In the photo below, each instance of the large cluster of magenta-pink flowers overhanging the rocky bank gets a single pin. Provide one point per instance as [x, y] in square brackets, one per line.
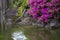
[43, 10]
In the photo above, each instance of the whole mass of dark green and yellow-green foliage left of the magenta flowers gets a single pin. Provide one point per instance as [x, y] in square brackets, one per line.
[19, 4]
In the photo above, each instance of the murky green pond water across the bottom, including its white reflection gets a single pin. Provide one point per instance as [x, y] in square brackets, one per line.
[27, 33]
